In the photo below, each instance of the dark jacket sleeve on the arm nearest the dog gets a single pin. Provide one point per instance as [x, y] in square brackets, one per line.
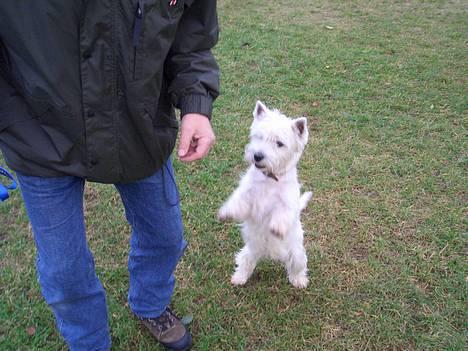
[191, 69]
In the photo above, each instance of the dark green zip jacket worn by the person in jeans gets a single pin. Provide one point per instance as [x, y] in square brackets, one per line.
[88, 87]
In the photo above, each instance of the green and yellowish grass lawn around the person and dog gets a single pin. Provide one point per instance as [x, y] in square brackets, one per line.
[384, 87]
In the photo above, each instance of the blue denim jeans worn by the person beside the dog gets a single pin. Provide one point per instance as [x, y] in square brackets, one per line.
[65, 265]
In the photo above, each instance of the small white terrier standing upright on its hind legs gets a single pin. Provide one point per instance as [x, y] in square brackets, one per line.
[268, 200]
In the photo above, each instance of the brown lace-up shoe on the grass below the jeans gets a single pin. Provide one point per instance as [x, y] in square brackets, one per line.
[169, 331]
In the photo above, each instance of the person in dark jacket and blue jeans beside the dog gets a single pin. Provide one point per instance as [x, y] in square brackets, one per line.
[87, 90]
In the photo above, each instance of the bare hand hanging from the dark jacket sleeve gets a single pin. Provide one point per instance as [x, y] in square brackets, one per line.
[196, 137]
